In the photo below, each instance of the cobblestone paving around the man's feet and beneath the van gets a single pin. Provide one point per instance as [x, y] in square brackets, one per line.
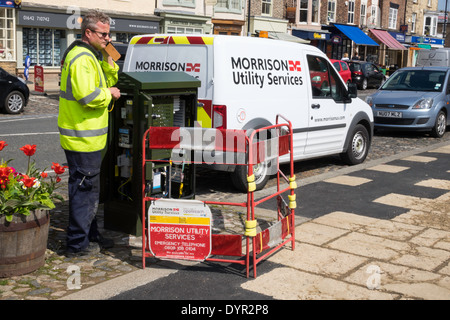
[51, 281]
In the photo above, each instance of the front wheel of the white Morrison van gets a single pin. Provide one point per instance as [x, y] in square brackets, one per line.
[358, 146]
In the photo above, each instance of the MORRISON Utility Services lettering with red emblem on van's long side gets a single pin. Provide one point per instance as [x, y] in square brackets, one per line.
[252, 71]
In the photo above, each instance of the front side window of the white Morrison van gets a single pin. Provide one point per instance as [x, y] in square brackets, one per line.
[325, 81]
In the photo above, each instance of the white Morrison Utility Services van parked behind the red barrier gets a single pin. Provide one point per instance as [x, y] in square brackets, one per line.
[246, 82]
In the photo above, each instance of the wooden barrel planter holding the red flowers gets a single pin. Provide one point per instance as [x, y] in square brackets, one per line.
[23, 242]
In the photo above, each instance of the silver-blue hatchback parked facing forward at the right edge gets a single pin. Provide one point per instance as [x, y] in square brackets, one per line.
[413, 98]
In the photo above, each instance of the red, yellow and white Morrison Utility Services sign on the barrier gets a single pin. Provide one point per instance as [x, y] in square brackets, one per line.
[179, 229]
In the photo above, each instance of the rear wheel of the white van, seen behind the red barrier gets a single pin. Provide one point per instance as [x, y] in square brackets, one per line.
[261, 172]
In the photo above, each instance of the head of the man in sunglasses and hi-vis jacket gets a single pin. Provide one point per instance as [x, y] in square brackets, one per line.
[95, 29]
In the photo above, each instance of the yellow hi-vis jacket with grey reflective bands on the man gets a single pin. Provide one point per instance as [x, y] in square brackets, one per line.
[84, 99]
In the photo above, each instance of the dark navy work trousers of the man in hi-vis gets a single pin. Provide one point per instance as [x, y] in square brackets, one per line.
[84, 191]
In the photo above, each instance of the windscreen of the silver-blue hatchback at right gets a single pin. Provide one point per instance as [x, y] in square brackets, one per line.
[416, 80]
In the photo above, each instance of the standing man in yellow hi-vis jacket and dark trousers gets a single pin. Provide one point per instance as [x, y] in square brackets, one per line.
[87, 79]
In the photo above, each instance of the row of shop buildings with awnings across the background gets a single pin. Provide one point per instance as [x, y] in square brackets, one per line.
[42, 30]
